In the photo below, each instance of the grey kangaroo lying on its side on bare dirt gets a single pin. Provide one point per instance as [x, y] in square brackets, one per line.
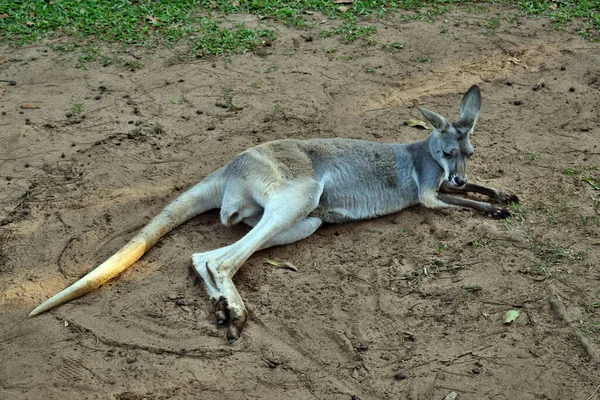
[286, 189]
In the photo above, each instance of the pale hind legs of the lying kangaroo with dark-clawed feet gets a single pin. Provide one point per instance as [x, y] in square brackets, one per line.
[284, 220]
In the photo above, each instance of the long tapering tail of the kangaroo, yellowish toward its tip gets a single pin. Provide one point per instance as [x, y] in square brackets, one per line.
[202, 197]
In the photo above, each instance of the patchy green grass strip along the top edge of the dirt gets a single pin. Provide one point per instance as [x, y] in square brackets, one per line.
[200, 22]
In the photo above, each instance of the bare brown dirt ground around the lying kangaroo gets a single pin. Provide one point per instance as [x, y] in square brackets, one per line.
[108, 147]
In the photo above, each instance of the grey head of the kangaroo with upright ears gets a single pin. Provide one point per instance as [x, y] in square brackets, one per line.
[449, 144]
